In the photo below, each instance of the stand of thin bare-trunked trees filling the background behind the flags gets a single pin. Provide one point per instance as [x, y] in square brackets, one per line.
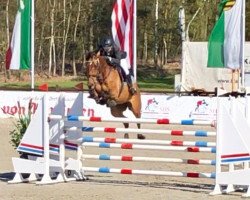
[66, 30]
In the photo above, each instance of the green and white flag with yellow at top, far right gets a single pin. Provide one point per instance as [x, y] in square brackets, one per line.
[225, 45]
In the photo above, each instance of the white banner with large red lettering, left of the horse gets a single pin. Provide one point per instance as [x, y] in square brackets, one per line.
[15, 103]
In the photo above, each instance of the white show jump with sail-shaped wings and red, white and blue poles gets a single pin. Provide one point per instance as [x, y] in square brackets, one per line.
[58, 132]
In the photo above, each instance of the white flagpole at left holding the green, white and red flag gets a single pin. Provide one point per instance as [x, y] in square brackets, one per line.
[32, 43]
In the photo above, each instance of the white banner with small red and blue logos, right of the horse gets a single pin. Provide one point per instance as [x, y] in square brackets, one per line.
[179, 108]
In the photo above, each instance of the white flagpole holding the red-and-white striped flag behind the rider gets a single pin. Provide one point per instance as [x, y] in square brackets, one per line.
[135, 40]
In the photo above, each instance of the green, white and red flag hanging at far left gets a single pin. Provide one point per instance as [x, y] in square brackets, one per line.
[18, 55]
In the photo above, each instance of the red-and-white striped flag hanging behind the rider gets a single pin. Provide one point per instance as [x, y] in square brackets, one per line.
[122, 27]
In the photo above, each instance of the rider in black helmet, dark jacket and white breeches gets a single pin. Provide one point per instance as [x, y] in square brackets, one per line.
[116, 57]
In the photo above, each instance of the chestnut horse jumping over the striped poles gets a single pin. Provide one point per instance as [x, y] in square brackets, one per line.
[106, 87]
